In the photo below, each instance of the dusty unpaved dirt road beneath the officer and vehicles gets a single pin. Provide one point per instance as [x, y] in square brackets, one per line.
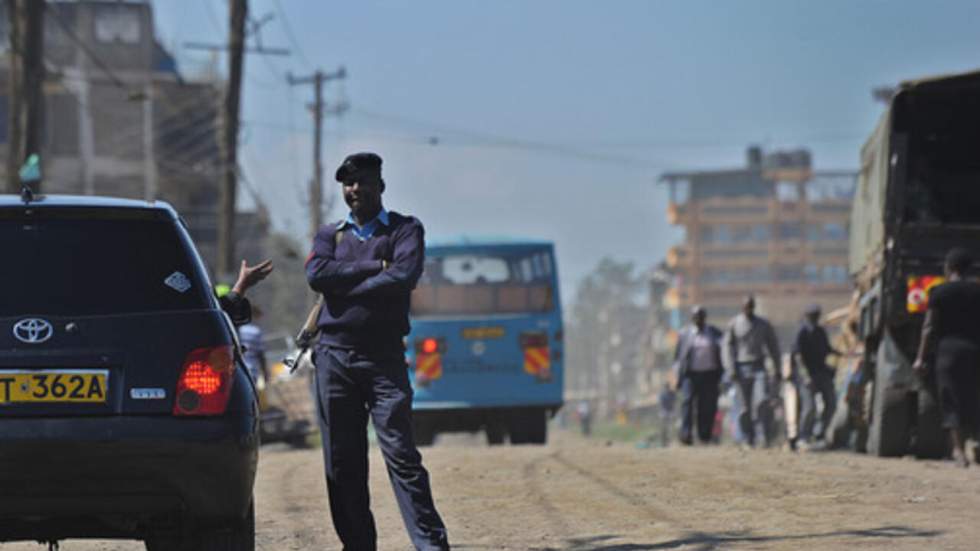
[584, 495]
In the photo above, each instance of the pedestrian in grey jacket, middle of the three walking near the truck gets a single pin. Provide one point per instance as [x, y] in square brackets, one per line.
[748, 340]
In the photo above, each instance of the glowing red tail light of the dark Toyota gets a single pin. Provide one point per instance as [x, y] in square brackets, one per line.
[205, 382]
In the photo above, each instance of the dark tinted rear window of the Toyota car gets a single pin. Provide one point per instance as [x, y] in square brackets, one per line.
[80, 263]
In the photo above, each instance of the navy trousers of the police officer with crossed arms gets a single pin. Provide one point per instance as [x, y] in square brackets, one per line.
[350, 387]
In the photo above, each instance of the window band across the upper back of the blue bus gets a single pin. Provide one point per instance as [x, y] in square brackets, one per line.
[470, 282]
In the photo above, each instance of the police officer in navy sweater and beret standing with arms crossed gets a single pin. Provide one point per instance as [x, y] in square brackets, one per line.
[366, 267]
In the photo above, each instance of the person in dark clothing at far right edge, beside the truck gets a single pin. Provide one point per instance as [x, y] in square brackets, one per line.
[952, 333]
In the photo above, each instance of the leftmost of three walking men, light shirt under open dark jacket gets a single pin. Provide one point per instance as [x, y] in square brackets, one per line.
[699, 369]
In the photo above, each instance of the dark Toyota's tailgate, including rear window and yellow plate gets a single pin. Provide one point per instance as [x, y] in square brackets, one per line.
[100, 309]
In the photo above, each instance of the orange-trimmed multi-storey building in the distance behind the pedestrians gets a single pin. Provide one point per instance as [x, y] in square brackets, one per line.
[774, 228]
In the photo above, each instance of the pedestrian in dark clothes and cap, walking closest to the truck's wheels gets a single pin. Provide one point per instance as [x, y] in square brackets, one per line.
[810, 349]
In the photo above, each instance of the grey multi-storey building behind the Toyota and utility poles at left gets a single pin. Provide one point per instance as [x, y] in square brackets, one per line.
[121, 120]
